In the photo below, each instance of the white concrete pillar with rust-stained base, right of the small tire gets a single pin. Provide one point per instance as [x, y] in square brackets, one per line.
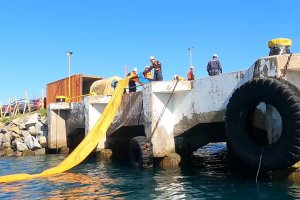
[158, 112]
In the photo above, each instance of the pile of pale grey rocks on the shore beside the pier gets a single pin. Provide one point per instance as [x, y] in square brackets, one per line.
[24, 136]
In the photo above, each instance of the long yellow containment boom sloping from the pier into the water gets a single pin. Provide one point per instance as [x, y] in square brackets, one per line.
[87, 145]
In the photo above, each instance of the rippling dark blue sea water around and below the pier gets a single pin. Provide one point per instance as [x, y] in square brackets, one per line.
[209, 176]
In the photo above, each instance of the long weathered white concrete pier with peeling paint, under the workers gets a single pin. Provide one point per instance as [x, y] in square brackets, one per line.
[168, 109]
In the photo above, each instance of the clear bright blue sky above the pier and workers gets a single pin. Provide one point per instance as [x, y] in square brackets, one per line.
[106, 35]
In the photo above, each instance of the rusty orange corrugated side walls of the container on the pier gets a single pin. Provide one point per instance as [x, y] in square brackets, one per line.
[60, 88]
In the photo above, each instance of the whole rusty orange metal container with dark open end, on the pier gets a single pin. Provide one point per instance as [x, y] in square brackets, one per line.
[80, 85]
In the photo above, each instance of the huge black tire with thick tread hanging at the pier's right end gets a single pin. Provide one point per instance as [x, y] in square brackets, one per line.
[239, 118]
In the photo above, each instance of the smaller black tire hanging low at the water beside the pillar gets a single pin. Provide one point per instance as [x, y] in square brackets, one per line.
[140, 152]
